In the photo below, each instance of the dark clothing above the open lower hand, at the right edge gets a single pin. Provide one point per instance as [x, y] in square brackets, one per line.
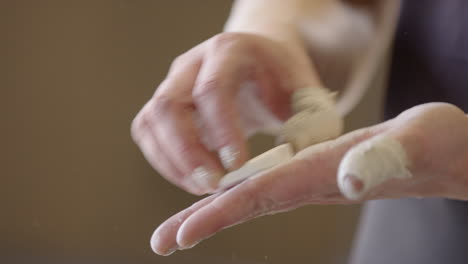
[430, 59]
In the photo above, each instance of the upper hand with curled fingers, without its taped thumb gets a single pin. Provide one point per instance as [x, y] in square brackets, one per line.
[195, 126]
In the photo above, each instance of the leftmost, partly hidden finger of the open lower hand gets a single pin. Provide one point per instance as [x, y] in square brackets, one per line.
[163, 240]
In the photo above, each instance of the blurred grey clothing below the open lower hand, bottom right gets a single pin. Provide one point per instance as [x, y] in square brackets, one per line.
[413, 231]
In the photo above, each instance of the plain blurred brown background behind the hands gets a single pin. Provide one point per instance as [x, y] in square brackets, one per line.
[74, 188]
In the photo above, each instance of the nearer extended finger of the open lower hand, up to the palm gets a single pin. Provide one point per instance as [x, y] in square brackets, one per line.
[253, 198]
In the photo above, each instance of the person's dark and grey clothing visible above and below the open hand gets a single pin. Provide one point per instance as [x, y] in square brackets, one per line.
[430, 64]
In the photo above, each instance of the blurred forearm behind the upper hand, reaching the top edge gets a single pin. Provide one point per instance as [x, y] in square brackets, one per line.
[326, 37]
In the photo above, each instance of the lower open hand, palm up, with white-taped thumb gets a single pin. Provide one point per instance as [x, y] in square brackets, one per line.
[421, 153]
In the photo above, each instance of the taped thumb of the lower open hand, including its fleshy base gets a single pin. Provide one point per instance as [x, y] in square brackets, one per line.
[408, 159]
